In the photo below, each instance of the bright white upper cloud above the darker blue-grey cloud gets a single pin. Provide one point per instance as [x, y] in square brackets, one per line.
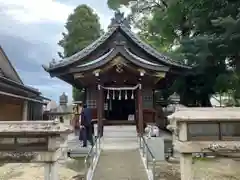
[41, 20]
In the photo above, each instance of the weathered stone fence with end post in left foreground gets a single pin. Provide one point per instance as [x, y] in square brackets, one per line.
[34, 142]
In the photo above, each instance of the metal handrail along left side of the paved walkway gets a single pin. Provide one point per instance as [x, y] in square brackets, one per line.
[91, 154]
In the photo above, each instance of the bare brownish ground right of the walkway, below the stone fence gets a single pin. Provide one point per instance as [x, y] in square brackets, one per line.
[203, 169]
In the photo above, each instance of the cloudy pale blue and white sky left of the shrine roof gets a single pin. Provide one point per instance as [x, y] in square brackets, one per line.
[29, 32]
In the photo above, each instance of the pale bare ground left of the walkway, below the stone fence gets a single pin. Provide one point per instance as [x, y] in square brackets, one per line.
[68, 170]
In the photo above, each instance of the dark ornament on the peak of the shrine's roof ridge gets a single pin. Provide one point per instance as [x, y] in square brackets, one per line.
[119, 19]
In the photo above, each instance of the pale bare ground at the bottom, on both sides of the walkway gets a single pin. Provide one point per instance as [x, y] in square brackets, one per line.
[204, 169]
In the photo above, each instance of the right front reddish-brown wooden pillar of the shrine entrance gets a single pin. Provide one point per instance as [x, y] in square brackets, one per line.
[140, 111]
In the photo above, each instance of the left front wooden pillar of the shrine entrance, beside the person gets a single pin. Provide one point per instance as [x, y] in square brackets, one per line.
[100, 110]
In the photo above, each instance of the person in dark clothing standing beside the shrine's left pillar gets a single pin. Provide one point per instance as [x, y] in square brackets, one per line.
[86, 126]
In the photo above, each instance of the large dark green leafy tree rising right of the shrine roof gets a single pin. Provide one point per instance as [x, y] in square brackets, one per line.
[203, 33]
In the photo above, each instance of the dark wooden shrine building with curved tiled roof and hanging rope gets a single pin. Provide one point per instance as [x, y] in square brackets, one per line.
[119, 73]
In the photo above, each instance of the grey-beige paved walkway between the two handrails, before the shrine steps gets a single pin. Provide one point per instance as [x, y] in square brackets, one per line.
[120, 165]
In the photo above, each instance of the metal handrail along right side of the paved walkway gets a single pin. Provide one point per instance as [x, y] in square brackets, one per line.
[145, 151]
